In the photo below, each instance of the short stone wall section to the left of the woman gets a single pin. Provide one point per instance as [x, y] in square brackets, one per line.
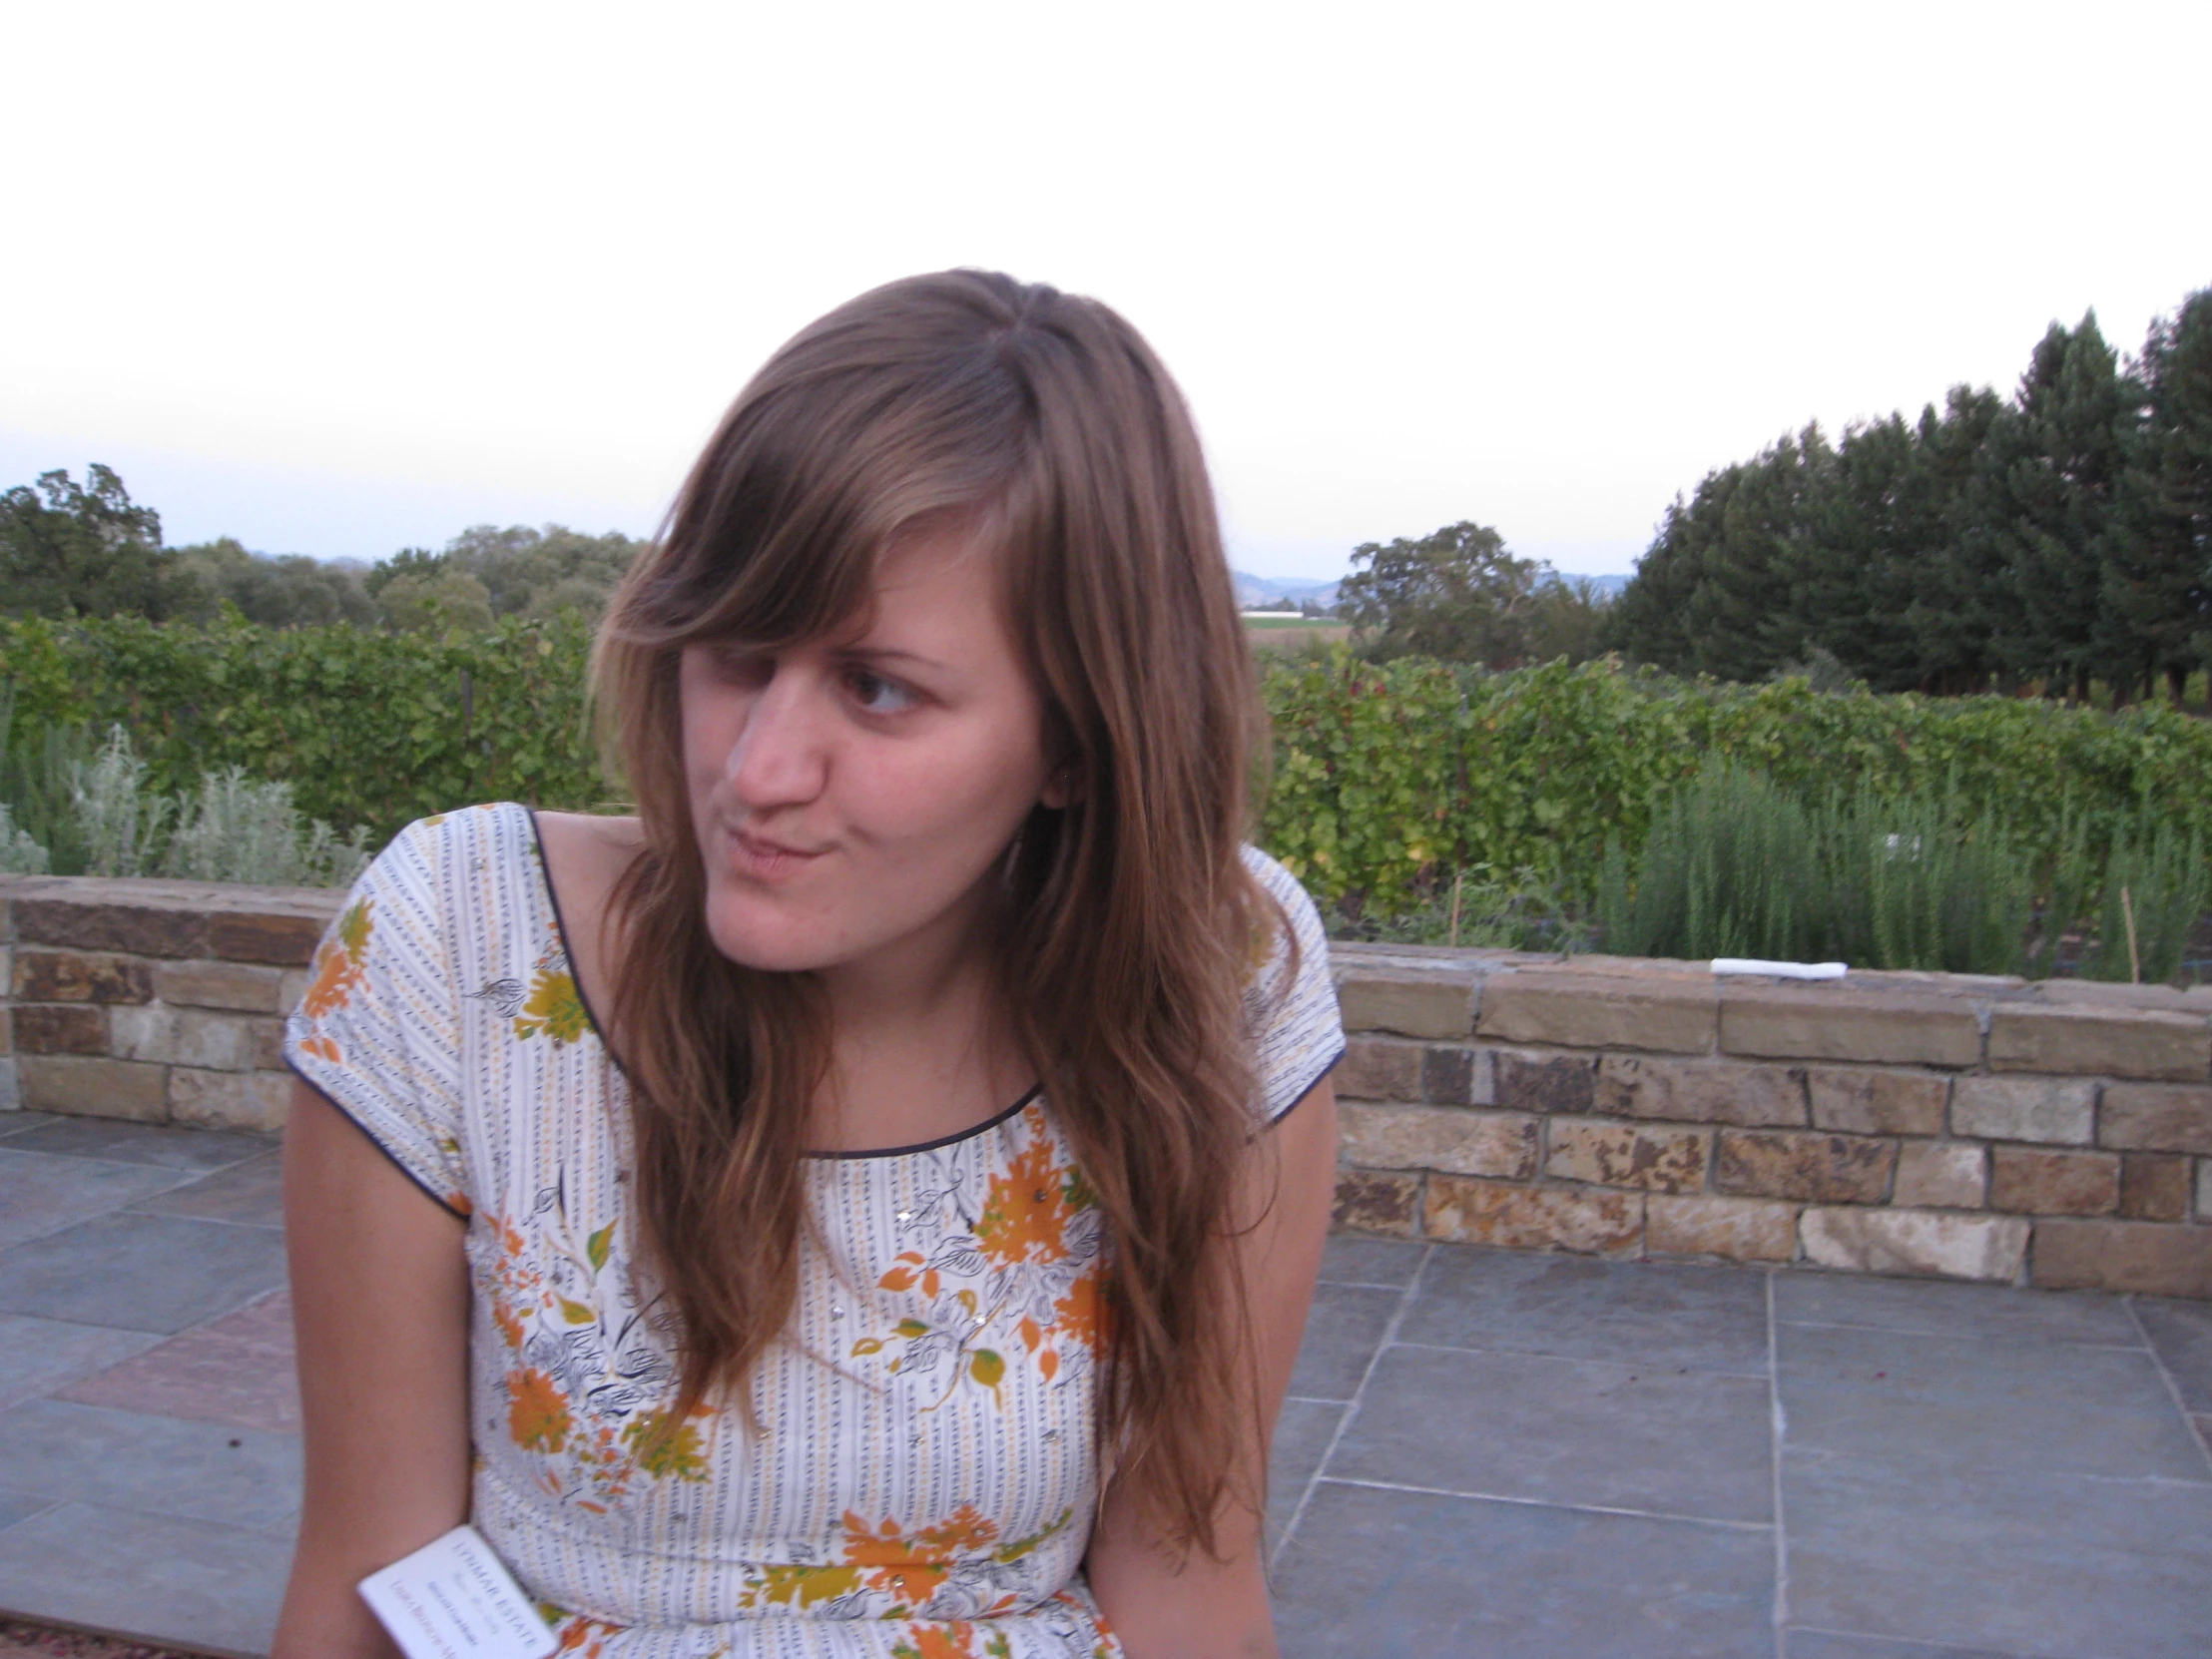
[152, 1001]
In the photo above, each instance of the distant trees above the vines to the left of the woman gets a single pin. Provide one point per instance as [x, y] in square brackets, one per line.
[87, 550]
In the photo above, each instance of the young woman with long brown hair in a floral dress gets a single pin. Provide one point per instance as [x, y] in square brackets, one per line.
[868, 1202]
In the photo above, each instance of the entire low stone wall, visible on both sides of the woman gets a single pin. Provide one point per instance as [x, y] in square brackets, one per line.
[1890, 1123]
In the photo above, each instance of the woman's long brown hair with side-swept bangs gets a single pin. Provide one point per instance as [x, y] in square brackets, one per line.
[1131, 919]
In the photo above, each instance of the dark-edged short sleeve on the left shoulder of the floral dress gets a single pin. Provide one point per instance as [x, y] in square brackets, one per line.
[379, 1027]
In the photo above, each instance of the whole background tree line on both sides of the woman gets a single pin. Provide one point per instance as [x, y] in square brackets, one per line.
[2054, 541]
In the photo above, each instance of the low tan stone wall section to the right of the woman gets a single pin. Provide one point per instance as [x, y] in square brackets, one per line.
[1892, 1123]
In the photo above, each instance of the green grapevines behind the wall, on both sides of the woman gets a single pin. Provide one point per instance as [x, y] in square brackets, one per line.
[1388, 780]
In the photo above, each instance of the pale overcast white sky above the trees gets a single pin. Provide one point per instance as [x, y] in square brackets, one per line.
[337, 280]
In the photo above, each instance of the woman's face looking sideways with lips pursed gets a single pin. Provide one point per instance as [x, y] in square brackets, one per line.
[853, 795]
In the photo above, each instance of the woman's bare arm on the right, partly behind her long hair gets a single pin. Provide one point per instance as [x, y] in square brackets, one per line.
[1167, 1609]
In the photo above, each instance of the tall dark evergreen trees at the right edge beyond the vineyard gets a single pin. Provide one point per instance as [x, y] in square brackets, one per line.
[2052, 541]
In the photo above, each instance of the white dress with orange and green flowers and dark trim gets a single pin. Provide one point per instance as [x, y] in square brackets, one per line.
[924, 1474]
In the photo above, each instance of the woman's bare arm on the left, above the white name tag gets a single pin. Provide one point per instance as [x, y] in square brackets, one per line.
[382, 1313]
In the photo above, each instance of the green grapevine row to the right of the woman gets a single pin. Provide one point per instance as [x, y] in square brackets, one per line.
[1390, 778]
